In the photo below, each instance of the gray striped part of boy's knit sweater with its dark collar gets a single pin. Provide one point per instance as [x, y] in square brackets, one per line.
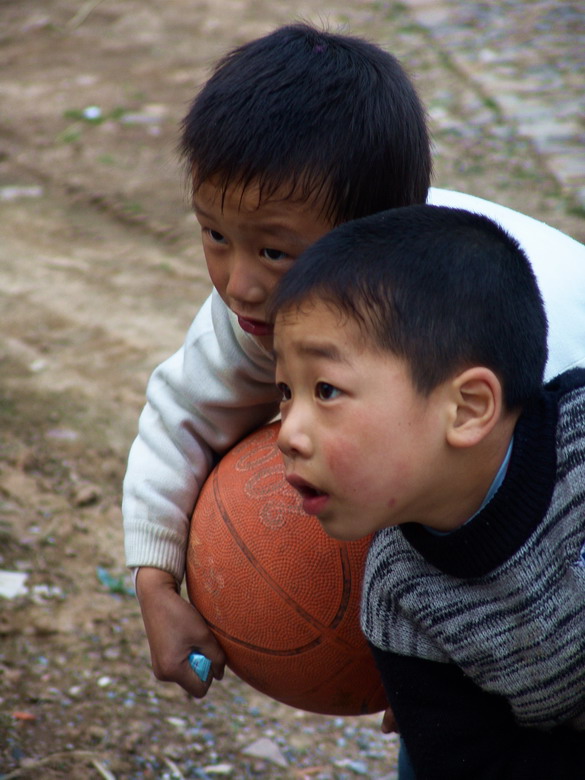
[504, 596]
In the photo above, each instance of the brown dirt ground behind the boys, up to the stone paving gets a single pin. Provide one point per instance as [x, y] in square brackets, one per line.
[100, 275]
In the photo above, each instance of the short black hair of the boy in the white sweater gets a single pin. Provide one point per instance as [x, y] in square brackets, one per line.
[331, 116]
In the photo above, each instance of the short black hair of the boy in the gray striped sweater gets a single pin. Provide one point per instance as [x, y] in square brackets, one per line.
[443, 288]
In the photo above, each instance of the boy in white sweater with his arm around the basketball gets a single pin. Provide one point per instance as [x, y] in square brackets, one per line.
[293, 134]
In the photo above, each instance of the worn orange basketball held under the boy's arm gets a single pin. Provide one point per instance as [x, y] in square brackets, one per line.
[281, 597]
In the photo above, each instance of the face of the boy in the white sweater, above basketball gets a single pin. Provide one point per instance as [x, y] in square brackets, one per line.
[249, 244]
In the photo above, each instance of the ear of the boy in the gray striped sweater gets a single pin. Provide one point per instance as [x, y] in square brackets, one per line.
[476, 406]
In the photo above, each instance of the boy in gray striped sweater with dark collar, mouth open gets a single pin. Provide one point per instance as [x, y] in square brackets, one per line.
[410, 349]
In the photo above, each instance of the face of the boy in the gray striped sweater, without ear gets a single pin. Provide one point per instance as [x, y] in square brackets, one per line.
[360, 444]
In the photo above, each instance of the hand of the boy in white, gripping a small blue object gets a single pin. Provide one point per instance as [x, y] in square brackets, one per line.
[175, 629]
